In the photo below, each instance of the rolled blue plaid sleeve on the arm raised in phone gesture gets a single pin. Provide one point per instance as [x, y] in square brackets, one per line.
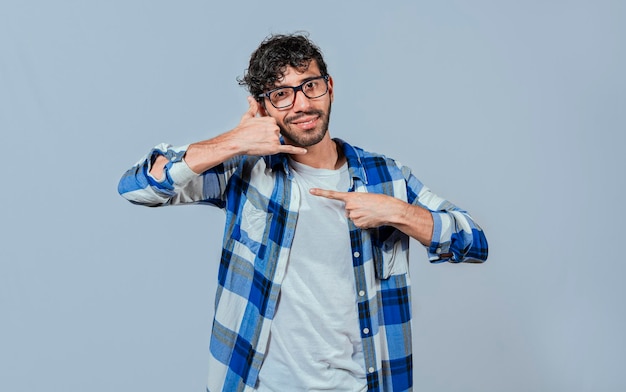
[179, 185]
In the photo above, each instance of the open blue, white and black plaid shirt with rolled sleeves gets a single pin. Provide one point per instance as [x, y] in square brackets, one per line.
[261, 205]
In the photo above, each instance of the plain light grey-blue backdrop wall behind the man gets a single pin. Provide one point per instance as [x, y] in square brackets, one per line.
[513, 110]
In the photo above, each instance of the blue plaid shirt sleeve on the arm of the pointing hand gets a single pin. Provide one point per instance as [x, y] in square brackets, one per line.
[456, 236]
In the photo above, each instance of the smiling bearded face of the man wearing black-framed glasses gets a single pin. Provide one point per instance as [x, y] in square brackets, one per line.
[305, 123]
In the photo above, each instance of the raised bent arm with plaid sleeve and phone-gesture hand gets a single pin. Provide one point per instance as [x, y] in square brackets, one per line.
[171, 176]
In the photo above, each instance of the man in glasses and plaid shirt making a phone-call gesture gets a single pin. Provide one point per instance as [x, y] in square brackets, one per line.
[314, 292]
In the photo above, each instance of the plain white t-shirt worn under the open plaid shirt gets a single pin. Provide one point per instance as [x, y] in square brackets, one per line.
[315, 342]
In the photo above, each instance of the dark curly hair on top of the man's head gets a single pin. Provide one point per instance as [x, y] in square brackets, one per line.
[269, 62]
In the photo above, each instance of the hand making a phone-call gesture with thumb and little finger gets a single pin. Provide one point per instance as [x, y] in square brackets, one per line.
[260, 135]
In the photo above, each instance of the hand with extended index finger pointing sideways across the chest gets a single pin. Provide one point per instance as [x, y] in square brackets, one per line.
[365, 210]
